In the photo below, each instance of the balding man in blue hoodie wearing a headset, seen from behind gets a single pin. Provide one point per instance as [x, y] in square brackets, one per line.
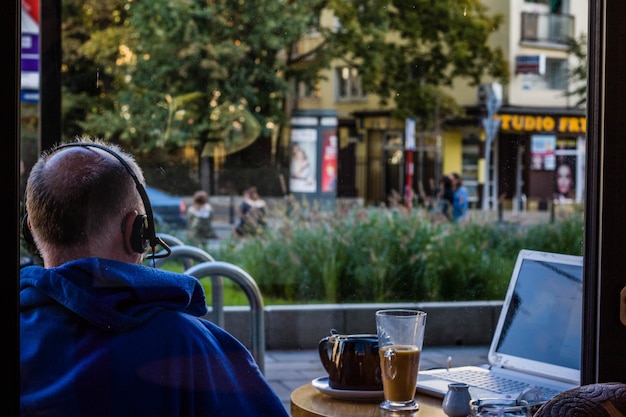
[103, 335]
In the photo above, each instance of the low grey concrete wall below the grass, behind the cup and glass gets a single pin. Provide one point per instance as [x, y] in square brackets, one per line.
[470, 323]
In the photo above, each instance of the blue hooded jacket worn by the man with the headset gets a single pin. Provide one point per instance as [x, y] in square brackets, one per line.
[106, 338]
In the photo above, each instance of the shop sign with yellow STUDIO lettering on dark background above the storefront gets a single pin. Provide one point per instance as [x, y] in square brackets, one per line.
[537, 123]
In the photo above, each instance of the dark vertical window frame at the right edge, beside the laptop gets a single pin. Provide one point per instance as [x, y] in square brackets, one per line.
[604, 336]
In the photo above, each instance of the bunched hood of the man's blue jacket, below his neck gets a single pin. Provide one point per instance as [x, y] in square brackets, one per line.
[112, 295]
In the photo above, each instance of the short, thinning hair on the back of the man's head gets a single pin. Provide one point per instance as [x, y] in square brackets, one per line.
[67, 207]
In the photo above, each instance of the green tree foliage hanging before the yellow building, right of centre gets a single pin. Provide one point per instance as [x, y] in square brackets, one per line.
[404, 50]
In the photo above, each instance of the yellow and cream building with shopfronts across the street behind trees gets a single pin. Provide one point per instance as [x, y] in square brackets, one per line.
[537, 154]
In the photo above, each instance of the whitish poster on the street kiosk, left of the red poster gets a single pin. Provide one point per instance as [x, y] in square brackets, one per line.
[302, 170]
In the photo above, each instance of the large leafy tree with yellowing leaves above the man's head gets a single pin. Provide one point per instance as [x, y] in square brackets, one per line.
[171, 68]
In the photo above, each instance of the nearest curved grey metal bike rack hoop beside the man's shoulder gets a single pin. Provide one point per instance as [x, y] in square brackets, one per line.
[250, 288]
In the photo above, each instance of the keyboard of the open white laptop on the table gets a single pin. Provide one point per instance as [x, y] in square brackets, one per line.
[497, 384]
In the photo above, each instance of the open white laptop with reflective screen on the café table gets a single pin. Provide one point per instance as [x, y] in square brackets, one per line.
[536, 347]
